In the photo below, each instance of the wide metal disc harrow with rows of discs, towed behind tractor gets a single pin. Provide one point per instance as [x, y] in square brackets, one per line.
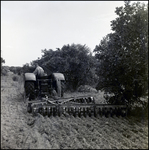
[80, 106]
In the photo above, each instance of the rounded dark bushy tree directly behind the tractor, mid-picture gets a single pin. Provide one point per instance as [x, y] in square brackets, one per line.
[74, 61]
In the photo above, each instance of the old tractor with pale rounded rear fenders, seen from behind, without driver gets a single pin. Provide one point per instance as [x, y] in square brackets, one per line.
[44, 86]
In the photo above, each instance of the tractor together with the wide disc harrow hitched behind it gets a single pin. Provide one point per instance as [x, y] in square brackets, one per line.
[45, 96]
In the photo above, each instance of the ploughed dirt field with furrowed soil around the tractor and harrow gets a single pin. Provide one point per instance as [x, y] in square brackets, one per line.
[20, 130]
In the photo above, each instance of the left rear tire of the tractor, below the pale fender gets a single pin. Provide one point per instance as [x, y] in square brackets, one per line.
[30, 90]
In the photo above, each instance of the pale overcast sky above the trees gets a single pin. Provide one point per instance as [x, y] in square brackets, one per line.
[27, 27]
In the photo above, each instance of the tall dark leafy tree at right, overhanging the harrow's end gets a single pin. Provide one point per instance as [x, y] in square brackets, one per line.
[123, 55]
